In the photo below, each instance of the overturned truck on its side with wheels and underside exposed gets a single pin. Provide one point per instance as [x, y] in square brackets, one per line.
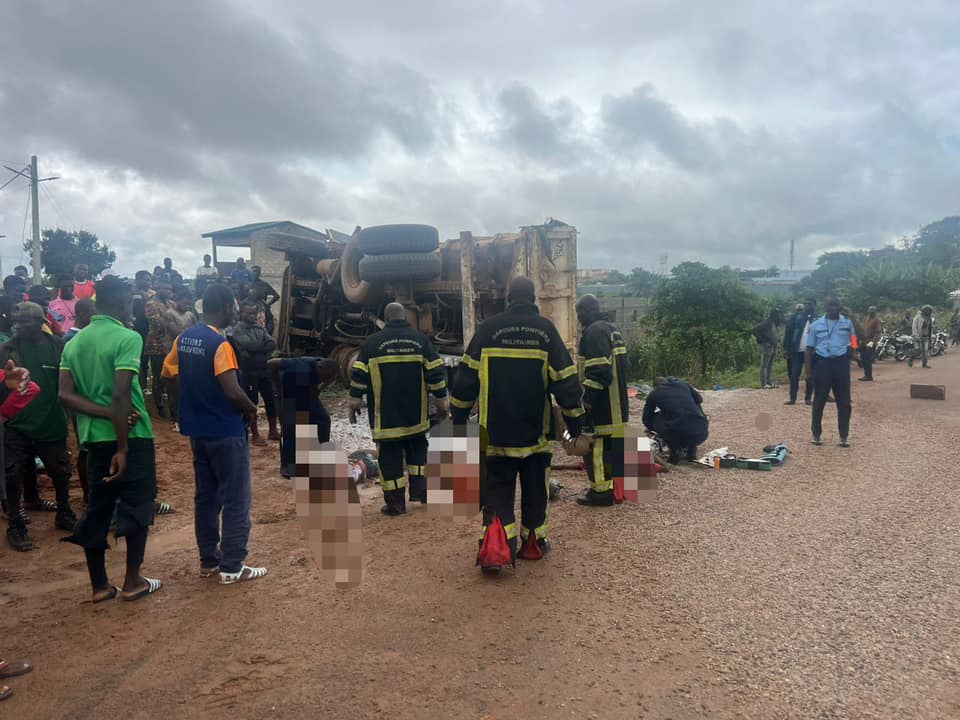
[334, 291]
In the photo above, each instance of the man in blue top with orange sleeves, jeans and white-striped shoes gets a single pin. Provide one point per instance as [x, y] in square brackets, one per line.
[214, 414]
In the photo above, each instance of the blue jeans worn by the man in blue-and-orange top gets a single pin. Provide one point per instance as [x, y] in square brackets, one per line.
[221, 468]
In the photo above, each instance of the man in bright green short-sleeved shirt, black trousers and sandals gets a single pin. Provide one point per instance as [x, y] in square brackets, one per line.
[98, 383]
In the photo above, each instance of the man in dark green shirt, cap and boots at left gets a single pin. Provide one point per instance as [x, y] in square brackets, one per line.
[41, 429]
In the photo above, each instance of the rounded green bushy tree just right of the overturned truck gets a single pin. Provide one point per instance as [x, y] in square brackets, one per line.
[706, 315]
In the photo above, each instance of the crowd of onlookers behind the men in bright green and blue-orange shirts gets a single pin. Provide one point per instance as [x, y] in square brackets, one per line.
[35, 325]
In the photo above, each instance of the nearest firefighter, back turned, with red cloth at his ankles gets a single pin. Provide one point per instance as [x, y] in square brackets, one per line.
[514, 362]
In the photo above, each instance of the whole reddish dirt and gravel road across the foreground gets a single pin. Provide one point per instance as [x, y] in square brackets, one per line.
[827, 588]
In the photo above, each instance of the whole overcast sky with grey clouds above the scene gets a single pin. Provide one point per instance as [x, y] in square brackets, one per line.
[703, 130]
